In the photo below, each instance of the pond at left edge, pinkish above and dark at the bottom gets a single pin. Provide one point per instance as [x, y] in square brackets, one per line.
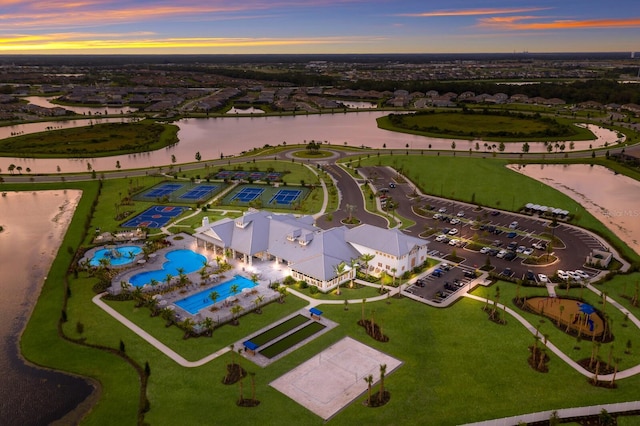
[34, 224]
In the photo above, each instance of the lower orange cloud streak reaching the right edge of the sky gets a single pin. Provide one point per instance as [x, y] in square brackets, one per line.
[520, 23]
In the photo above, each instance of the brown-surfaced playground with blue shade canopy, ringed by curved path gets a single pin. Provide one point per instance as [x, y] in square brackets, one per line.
[576, 316]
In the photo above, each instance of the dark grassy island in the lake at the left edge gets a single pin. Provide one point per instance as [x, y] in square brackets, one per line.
[96, 140]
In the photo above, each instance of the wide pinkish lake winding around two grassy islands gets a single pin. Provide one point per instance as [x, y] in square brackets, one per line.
[213, 137]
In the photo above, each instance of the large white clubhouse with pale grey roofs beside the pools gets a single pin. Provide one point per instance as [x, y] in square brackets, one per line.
[323, 258]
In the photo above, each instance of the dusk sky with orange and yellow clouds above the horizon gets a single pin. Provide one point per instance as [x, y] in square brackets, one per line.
[317, 26]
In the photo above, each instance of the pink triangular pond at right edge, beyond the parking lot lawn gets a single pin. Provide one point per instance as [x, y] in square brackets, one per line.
[613, 199]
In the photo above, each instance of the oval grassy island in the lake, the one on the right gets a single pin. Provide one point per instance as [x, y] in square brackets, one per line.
[504, 126]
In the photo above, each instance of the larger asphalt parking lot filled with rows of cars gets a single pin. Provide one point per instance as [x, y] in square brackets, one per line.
[481, 234]
